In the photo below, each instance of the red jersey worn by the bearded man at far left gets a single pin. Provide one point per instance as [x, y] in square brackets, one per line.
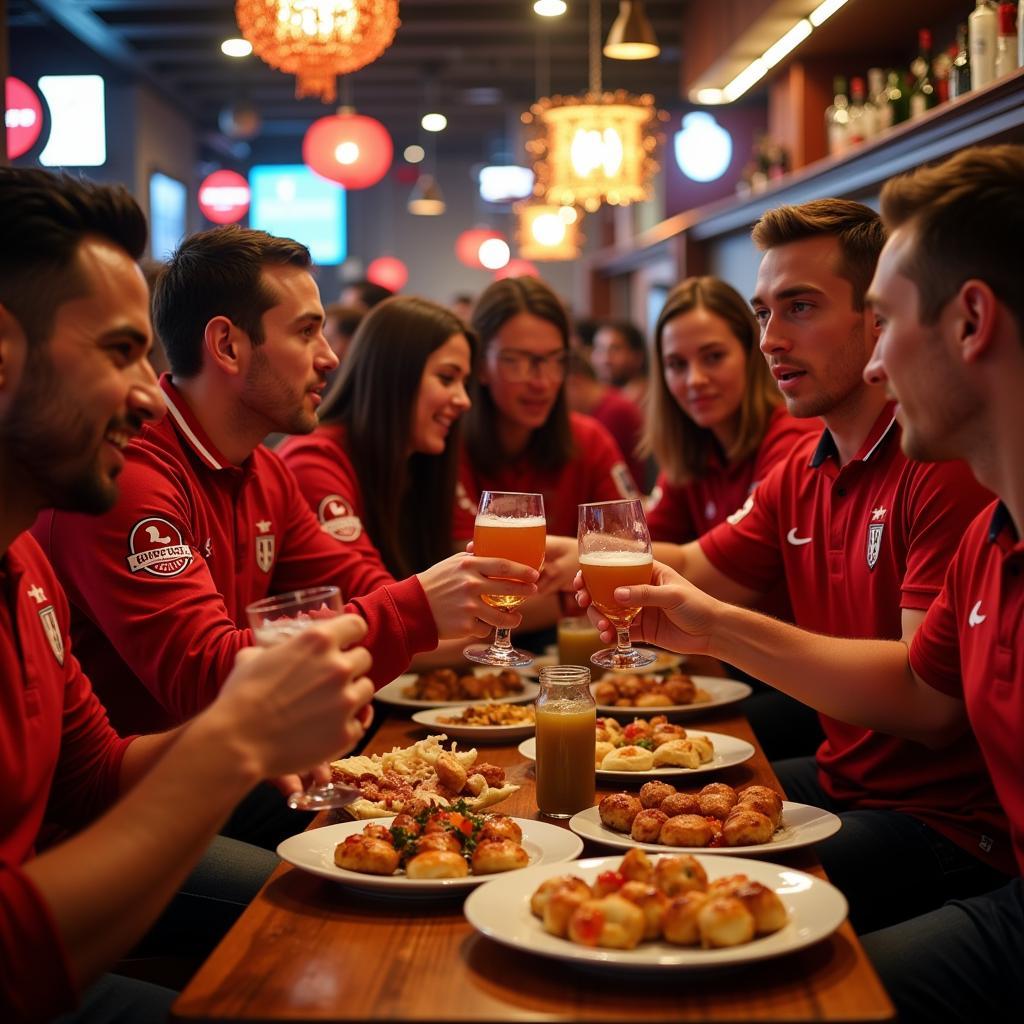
[60, 759]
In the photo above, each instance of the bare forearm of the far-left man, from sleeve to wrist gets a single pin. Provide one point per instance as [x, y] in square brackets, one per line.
[107, 885]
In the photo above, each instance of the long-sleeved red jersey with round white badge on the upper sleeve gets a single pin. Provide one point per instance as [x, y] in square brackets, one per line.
[159, 585]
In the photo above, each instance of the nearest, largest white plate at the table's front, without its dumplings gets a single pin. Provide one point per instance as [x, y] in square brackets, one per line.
[501, 911]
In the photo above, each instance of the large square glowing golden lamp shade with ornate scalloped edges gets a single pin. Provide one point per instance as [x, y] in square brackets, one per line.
[602, 148]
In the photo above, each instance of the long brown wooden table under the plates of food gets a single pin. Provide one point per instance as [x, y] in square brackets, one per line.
[309, 950]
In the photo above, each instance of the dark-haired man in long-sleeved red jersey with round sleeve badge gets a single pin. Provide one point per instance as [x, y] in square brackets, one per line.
[209, 521]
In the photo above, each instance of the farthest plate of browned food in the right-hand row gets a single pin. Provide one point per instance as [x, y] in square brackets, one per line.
[674, 694]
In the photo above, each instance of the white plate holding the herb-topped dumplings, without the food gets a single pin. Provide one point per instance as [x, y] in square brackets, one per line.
[547, 845]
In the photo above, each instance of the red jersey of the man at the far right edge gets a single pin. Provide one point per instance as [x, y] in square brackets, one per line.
[971, 647]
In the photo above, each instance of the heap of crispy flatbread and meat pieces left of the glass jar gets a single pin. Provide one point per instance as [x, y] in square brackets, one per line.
[411, 779]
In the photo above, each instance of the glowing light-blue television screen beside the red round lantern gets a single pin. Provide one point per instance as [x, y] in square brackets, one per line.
[291, 201]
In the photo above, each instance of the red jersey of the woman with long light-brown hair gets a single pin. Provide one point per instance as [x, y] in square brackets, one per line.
[680, 514]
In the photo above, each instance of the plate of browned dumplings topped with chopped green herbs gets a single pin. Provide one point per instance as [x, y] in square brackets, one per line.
[438, 851]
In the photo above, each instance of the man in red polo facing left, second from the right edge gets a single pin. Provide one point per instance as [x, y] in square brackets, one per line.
[862, 538]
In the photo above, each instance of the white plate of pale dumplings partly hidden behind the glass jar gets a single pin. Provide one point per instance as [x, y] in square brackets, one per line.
[692, 755]
